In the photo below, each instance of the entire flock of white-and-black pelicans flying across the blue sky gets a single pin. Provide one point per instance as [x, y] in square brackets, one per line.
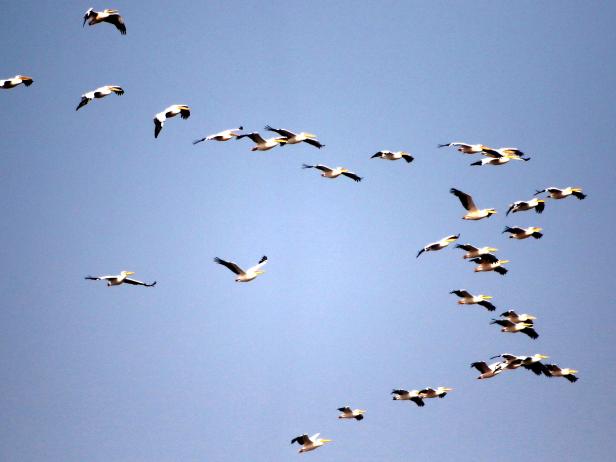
[483, 256]
